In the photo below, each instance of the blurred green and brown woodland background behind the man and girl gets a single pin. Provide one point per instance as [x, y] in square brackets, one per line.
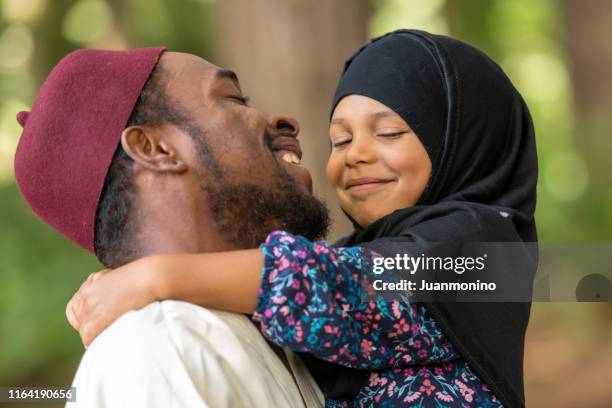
[288, 54]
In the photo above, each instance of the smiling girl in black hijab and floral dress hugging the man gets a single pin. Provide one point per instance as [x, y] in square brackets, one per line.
[430, 143]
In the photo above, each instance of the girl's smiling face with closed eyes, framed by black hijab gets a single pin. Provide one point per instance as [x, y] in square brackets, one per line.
[377, 164]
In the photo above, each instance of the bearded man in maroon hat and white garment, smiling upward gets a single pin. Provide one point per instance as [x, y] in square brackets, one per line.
[141, 152]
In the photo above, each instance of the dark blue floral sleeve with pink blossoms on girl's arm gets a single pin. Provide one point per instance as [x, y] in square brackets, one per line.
[312, 299]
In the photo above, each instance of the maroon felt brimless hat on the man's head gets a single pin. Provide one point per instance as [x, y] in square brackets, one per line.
[70, 136]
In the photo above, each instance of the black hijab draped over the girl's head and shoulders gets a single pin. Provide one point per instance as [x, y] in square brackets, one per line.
[479, 136]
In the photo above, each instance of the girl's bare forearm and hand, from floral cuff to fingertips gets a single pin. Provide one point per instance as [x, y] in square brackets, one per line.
[221, 280]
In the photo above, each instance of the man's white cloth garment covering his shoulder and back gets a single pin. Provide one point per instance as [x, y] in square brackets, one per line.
[176, 354]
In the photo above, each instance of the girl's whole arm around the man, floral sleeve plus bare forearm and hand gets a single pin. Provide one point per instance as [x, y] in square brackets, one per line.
[311, 299]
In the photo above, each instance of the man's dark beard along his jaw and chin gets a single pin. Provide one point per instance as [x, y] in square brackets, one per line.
[245, 213]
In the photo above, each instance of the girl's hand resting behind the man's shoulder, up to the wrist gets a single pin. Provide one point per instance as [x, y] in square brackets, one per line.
[108, 294]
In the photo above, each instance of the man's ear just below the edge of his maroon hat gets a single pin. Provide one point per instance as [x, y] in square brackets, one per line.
[151, 150]
